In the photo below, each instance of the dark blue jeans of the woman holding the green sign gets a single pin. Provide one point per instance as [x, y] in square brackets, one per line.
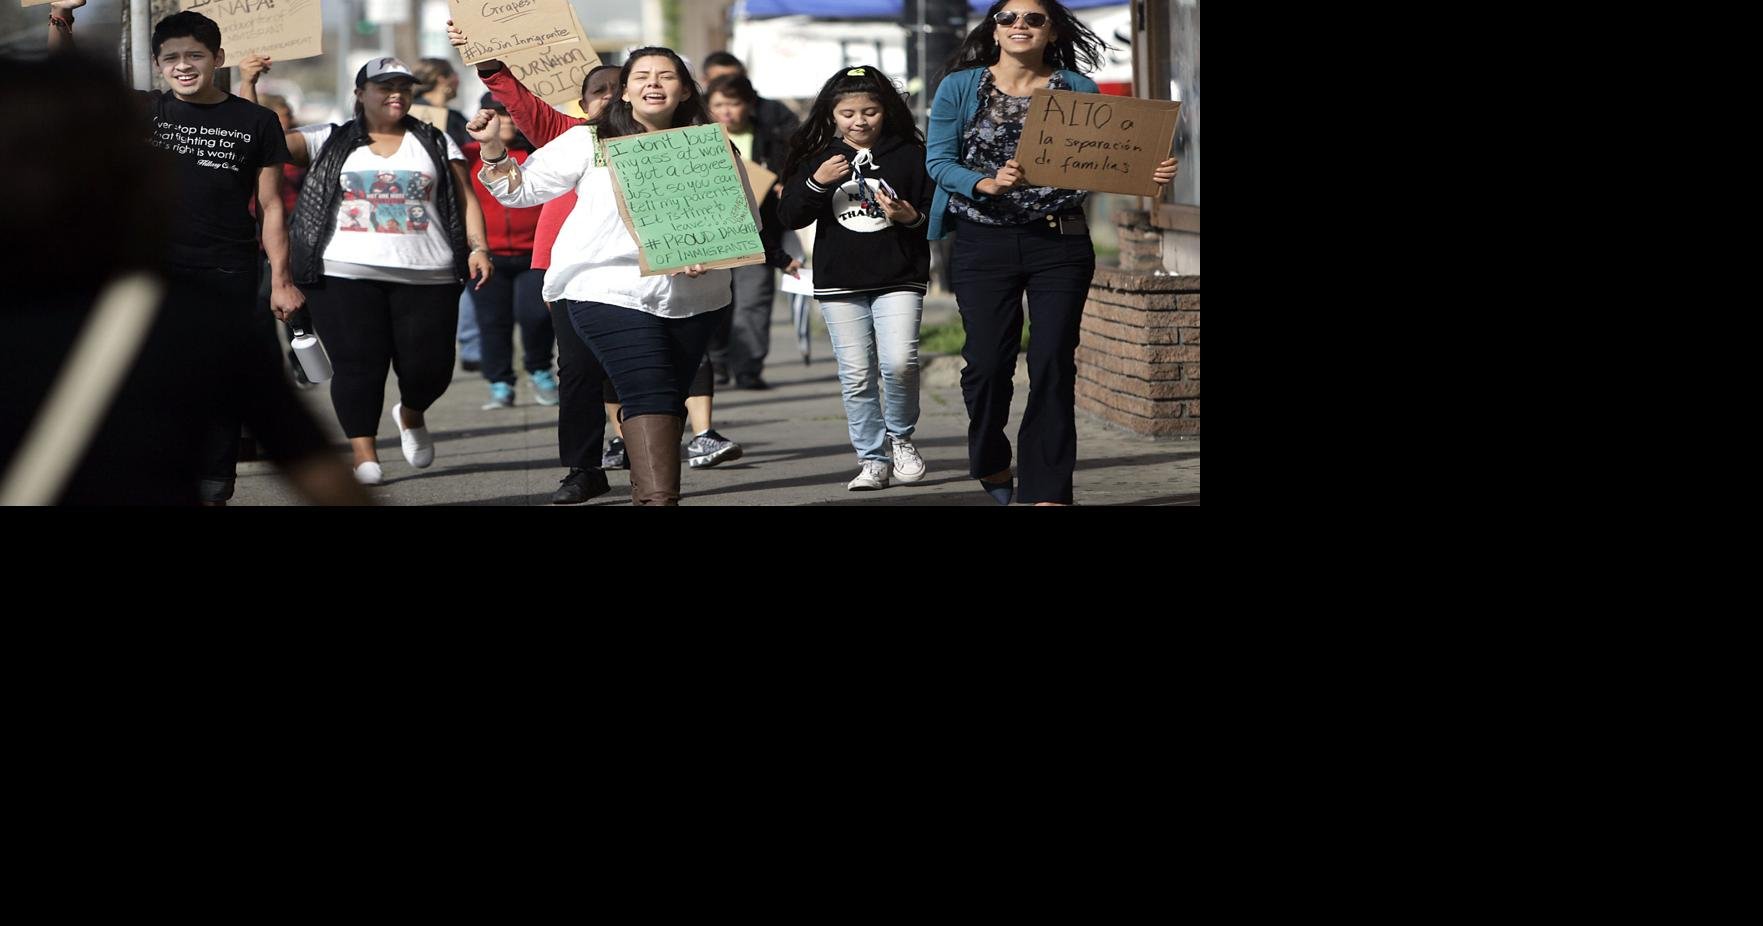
[650, 359]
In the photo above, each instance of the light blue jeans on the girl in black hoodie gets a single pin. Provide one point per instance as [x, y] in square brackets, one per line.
[877, 334]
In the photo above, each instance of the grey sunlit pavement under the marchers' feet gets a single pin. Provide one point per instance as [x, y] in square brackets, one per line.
[798, 449]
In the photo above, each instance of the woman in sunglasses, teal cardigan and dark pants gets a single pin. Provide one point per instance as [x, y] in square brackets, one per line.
[1015, 239]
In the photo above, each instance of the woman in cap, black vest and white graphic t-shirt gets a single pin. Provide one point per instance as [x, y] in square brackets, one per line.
[385, 235]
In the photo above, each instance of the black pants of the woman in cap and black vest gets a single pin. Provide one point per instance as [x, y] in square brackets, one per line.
[369, 327]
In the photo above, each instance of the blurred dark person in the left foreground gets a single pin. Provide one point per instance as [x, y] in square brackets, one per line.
[177, 370]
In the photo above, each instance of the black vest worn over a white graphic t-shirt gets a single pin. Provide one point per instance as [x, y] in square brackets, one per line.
[316, 211]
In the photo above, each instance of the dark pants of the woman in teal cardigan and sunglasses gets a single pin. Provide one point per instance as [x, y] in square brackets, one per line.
[992, 269]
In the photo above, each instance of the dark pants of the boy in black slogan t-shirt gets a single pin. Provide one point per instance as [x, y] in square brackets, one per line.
[228, 302]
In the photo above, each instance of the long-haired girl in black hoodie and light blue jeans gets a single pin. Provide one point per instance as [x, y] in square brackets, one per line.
[858, 170]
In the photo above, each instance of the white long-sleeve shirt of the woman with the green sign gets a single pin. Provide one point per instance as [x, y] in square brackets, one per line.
[595, 258]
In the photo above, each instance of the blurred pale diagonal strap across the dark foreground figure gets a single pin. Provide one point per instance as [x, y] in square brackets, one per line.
[84, 392]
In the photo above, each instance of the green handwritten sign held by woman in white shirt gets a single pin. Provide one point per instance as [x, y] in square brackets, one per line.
[685, 200]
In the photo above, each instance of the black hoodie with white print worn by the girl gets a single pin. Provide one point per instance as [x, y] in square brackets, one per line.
[856, 262]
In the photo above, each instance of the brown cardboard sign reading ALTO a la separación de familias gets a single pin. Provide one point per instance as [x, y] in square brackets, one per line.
[1096, 142]
